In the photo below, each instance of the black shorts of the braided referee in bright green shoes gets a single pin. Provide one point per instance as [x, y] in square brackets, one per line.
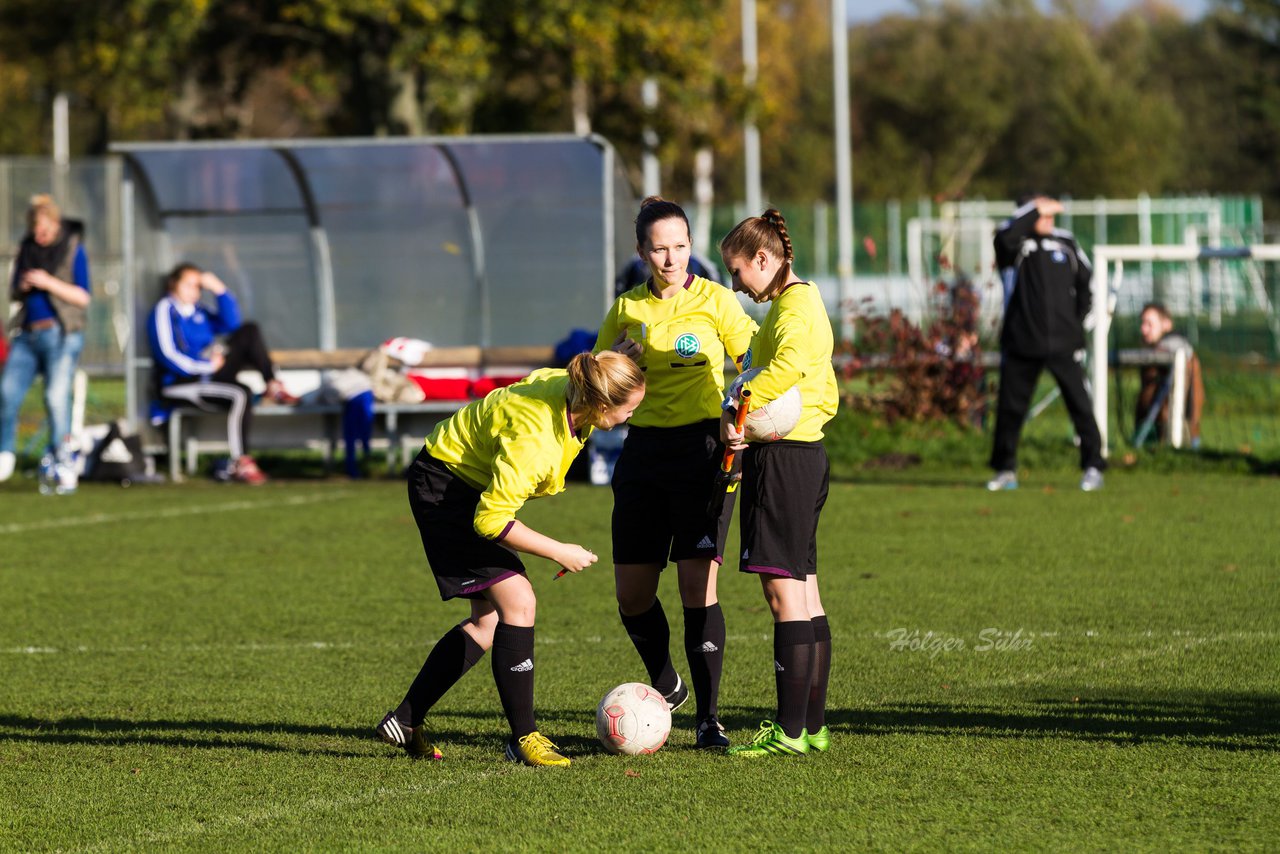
[784, 490]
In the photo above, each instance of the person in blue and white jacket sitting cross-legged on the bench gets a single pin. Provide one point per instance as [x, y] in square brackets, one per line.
[195, 368]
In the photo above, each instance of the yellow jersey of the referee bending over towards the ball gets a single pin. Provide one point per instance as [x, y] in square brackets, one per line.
[513, 446]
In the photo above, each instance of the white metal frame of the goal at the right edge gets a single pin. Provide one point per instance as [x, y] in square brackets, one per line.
[1109, 276]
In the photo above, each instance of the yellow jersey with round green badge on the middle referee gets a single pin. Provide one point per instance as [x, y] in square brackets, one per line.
[684, 341]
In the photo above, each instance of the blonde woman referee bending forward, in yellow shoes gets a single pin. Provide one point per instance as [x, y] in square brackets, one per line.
[465, 488]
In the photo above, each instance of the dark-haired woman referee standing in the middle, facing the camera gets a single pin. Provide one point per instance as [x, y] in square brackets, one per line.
[679, 327]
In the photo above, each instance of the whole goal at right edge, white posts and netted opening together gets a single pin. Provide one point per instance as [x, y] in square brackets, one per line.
[1224, 305]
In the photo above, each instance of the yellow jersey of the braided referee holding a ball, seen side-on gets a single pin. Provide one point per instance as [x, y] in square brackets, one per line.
[794, 349]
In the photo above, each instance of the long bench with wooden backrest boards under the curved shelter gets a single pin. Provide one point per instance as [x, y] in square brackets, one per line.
[401, 428]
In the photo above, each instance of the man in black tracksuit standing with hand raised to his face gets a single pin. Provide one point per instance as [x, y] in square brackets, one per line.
[1048, 293]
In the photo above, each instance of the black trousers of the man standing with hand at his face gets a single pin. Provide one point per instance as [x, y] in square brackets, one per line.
[1018, 378]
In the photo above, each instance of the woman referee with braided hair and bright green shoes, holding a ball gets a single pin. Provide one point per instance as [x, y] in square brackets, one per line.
[785, 482]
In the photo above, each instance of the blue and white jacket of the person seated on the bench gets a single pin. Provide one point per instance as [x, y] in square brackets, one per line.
[181, 337]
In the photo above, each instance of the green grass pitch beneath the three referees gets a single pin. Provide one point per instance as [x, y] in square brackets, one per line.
[199, 668]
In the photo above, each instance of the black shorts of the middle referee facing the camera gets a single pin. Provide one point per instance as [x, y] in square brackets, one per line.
[662, 486]
